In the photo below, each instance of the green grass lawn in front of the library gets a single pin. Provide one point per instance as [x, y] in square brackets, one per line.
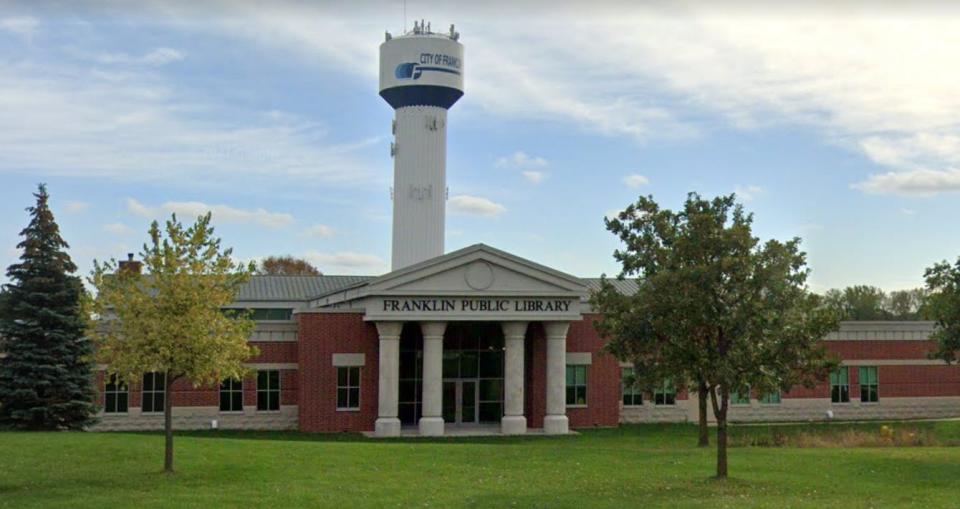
[650, 465]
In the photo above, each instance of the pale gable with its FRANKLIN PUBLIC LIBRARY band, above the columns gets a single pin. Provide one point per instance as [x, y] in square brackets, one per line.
[476, 283]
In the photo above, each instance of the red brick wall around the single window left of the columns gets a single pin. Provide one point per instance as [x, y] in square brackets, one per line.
[321, 335]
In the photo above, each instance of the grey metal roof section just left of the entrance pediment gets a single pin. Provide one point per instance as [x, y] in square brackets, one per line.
[294, 288]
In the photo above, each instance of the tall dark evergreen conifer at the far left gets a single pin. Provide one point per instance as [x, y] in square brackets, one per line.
[46, 377]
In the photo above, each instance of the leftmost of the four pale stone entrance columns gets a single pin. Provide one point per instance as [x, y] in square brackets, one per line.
[388, 424]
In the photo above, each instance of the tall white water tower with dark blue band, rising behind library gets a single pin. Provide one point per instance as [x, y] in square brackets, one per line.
[421, 76]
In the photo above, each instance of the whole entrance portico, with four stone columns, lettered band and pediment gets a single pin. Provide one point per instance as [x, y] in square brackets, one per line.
[478, 290]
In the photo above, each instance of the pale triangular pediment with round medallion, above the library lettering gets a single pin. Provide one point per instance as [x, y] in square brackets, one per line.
[477, 271]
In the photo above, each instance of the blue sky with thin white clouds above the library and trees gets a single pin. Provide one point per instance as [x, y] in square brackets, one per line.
[835, 124]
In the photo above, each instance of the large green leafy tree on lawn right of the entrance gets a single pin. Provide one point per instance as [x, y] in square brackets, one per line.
[715, 308]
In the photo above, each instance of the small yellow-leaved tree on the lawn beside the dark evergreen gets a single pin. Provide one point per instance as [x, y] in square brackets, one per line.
[169, 319]
